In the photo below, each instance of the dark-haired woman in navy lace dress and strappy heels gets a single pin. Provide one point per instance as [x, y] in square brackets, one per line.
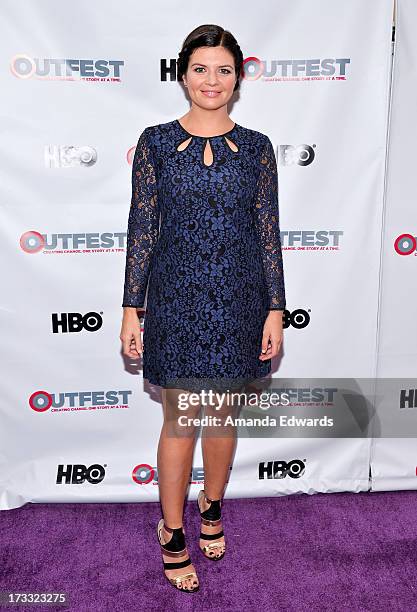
[204, 220]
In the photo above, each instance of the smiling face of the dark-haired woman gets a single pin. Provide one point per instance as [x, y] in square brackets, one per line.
[210, 77]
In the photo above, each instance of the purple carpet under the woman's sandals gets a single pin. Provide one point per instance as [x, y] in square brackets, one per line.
[335, 552]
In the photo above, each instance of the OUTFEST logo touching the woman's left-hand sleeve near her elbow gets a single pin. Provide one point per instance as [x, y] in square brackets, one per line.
[105, 242]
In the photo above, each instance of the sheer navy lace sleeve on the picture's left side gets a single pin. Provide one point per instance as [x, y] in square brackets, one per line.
[143, 224]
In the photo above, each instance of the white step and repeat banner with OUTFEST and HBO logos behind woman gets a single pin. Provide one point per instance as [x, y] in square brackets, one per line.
[78, 421]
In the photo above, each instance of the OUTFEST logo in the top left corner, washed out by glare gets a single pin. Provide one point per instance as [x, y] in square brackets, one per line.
[24, 66]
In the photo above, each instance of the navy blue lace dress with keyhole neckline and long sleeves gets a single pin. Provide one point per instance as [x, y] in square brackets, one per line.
[203, 241]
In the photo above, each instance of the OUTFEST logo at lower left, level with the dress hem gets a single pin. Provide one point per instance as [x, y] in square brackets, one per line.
[79, 401]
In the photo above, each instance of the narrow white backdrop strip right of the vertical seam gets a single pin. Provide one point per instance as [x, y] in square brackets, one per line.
[394, 460]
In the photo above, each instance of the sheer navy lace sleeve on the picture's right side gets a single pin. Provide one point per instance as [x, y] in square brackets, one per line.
[267, 227]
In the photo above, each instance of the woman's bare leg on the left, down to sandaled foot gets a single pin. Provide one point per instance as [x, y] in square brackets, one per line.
[174, 460]
